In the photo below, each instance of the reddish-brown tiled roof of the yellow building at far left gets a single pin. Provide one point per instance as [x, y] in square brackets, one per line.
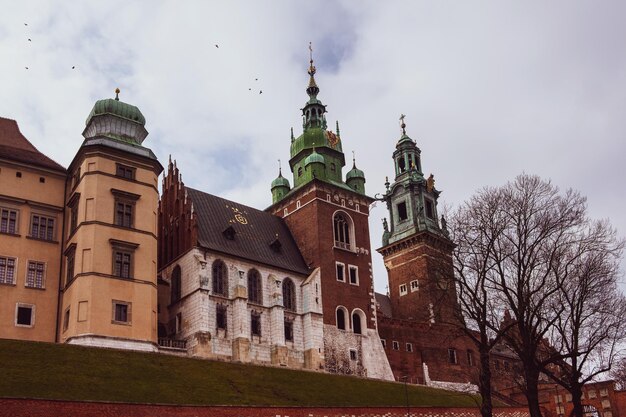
[15, 147]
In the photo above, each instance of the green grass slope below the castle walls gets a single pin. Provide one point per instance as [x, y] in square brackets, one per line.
[53, 371]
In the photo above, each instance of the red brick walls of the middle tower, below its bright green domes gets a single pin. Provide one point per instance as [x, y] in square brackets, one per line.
[312, 227]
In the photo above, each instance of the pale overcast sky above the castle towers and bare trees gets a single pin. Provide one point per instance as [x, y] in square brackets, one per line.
[490, 89]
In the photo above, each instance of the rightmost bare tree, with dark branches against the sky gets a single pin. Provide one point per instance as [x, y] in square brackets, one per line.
[587, 333]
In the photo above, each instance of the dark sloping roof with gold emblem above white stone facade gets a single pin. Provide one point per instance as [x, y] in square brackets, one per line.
[254, 236]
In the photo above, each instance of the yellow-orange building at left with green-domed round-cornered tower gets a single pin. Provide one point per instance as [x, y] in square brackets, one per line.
[78, 249]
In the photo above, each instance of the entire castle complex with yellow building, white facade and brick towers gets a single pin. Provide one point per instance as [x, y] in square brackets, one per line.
[92, 255]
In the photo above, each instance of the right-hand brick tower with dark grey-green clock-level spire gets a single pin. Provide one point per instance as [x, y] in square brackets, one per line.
[416, 249]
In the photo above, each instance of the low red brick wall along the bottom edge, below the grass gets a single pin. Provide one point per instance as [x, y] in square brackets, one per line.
[43, 408]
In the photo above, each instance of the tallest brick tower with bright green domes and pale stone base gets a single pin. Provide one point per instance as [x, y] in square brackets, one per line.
[328, 217]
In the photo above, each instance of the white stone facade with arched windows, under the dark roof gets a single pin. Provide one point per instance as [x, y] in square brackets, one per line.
[193, 317]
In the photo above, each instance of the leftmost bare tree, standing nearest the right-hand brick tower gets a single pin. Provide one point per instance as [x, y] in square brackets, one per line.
[475, 228]
